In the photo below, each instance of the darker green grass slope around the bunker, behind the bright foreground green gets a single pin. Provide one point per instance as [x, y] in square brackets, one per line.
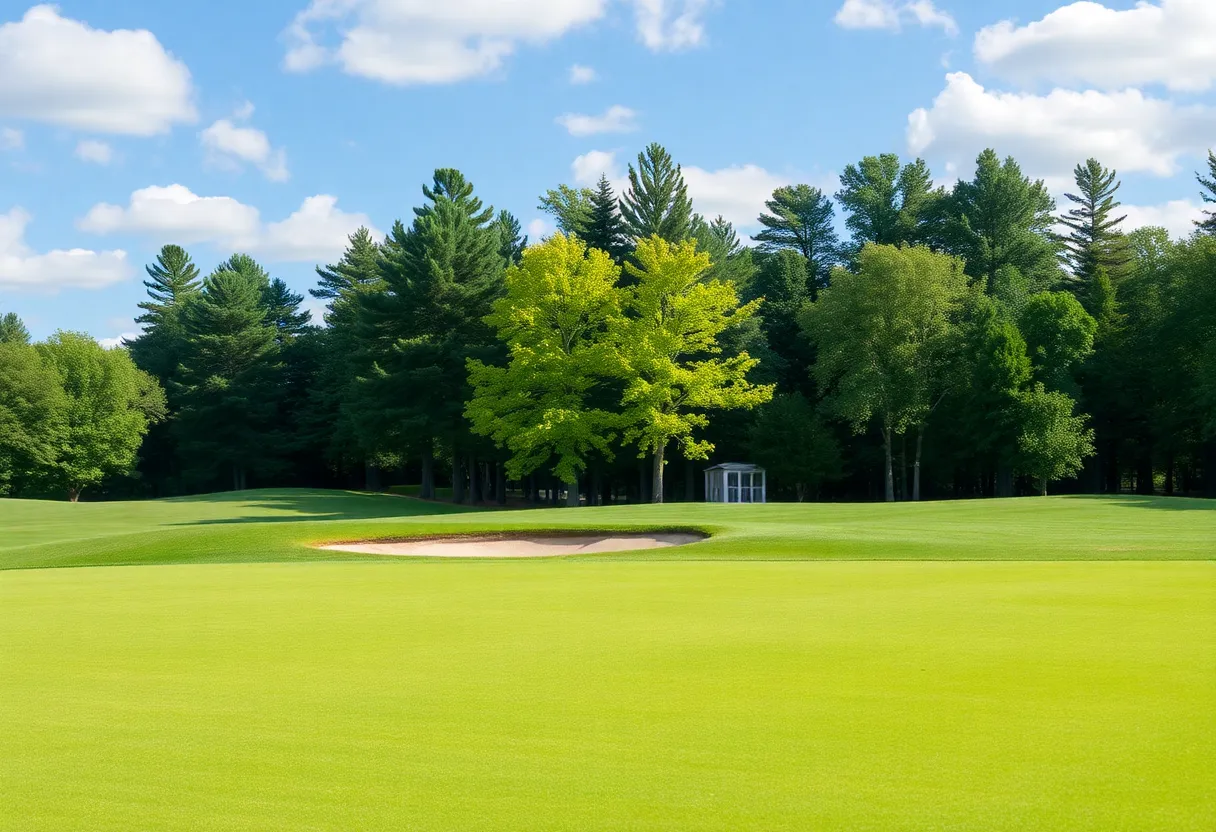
[285, 525]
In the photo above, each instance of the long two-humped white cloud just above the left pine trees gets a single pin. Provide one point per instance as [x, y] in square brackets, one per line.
[317, 232]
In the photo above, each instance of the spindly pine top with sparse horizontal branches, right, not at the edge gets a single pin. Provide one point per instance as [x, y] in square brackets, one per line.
[1095, 240]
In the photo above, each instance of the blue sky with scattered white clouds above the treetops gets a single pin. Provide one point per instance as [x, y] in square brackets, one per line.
[278, 127]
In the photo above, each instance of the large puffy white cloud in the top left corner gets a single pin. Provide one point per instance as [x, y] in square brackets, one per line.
[61, 71]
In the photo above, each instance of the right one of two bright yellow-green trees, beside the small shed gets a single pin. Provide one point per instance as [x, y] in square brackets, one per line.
[671, 352]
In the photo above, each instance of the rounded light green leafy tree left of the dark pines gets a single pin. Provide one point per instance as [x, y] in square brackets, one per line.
[109, 404]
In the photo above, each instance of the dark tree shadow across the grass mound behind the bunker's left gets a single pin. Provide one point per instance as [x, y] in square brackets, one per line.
[302, 505]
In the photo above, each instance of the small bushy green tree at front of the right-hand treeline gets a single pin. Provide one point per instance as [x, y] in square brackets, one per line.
[1054, 443]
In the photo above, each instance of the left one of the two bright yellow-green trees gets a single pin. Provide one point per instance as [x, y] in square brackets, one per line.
[555, 321]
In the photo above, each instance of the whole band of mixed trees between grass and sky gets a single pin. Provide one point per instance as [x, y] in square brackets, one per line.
[969, 341]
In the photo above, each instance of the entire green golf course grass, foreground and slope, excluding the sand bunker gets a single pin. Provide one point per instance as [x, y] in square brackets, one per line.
[988, 666]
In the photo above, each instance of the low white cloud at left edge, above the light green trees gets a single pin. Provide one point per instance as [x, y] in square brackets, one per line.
[21, 268]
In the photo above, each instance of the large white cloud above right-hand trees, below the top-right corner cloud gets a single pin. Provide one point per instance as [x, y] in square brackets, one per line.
[1050, 134]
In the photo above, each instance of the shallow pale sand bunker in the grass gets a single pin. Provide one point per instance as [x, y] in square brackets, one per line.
[537, 546]
